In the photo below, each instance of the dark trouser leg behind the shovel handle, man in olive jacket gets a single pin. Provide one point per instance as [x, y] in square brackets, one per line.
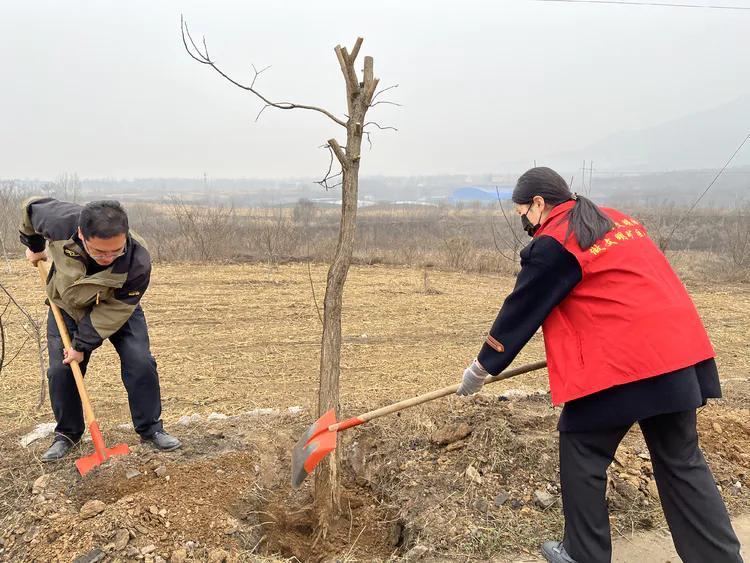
[63, 393]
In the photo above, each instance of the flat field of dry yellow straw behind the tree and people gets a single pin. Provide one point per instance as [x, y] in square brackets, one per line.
[230, 338]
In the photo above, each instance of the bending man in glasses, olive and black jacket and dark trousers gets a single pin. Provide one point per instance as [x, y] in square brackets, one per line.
[100, 270]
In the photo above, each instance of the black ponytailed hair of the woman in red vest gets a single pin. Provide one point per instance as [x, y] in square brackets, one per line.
[586, 220]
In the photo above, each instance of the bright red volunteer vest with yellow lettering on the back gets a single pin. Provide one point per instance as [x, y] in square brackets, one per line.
[629, 318]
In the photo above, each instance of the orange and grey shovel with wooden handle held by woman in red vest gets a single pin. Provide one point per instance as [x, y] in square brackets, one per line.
[320, 438]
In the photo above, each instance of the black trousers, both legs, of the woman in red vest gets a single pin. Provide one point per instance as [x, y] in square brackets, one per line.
[694, 509]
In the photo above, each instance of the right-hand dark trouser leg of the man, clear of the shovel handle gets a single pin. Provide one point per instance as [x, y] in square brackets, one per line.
[139, 373]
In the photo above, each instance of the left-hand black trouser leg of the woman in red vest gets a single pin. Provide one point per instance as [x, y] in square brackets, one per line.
[584, 459]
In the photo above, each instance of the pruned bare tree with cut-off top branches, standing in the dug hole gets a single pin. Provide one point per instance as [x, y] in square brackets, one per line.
[360, 97]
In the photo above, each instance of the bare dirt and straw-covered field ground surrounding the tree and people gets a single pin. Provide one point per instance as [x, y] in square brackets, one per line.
[242, 341]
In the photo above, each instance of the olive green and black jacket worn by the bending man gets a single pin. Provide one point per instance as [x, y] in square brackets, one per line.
[100, 303]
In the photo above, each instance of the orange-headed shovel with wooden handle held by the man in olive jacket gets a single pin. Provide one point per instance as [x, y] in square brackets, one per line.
[101, 452]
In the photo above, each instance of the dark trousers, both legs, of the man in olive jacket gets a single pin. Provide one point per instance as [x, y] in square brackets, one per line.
[138, 371]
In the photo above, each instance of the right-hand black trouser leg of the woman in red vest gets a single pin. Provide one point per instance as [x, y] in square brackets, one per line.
[700, 526]
